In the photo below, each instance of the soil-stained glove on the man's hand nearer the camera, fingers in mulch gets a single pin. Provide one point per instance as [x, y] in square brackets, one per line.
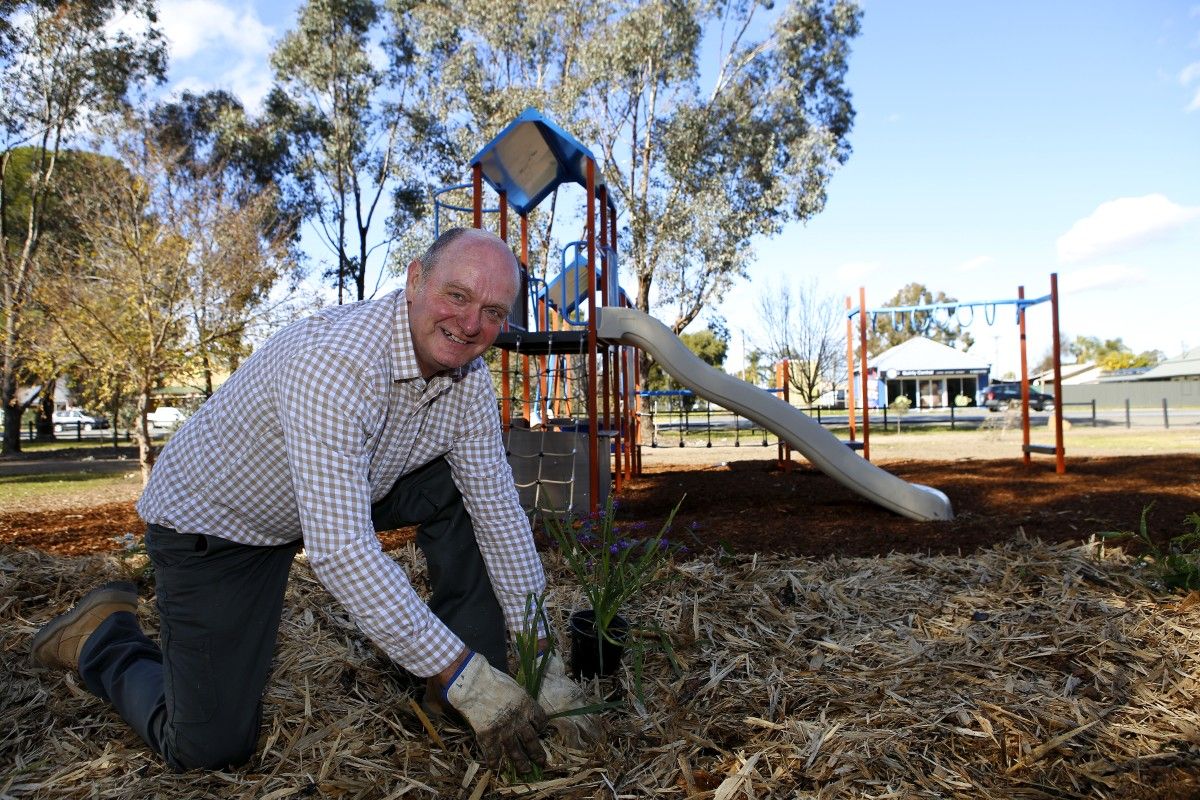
[505, 718]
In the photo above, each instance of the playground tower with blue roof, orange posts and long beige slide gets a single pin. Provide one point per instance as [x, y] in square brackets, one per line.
[569, 368]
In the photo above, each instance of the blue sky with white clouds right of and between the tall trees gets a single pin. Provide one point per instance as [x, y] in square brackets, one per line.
[995, 143]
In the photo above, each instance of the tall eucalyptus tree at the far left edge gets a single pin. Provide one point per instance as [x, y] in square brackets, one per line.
[62, 65]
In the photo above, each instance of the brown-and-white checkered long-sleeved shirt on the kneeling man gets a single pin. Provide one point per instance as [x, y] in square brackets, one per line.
[316, 426]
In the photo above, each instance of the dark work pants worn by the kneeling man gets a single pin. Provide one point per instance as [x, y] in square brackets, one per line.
[197, 700]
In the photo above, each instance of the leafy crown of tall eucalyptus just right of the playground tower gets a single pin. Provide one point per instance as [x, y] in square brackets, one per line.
[713, 136]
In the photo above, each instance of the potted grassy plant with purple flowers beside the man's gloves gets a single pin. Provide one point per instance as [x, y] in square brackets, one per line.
[613, 564]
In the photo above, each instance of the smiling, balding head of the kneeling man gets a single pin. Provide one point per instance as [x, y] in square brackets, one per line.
[457, 310]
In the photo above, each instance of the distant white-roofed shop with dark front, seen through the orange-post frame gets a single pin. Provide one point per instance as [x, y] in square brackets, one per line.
[931, 374]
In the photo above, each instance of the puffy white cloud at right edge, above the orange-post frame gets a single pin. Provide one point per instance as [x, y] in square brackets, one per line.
[1123, 224]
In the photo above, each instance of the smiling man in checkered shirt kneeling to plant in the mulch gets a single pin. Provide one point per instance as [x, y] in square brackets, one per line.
[363, 418]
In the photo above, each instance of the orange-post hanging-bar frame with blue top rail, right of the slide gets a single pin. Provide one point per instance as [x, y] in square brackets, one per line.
[952, 309]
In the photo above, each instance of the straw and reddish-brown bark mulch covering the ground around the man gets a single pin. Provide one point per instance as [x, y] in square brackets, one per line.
[826, 649]
